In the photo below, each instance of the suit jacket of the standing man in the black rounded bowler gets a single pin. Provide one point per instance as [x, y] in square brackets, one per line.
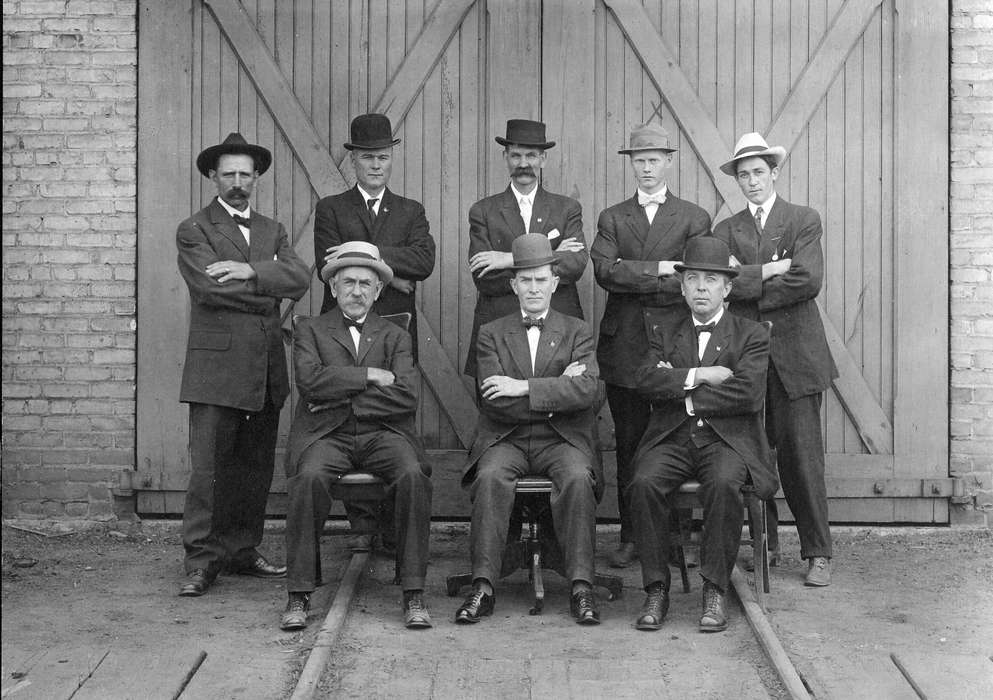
[400, 232]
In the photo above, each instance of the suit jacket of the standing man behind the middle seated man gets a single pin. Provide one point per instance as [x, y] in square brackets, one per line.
[494, 223]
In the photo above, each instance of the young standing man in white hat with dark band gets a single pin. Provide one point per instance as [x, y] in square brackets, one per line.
[777, 246]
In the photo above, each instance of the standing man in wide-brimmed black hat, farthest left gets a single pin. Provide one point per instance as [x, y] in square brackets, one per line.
[238, 265]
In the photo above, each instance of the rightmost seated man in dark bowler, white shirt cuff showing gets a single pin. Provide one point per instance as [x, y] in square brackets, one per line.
[705, 377]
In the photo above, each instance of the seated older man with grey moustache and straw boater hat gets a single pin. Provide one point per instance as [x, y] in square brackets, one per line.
[358, 396]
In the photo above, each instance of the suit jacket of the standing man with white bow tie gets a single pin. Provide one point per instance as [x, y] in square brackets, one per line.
[625, 256]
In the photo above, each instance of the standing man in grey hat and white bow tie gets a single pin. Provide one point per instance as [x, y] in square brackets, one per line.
[637, 245]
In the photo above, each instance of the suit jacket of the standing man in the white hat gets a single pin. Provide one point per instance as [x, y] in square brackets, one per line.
[799, 349]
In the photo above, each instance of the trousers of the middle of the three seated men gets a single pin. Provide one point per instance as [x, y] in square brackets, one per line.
[533, 451]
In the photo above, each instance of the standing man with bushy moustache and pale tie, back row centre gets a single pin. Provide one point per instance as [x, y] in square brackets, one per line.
[524, 207]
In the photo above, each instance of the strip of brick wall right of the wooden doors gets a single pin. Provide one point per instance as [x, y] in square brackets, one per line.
[971, 253]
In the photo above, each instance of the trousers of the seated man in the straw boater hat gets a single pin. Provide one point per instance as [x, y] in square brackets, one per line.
[392, 458]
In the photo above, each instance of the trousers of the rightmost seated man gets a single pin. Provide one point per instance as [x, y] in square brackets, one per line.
[658, 473]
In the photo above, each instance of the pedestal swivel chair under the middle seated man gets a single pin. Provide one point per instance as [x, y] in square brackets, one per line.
[535, 548]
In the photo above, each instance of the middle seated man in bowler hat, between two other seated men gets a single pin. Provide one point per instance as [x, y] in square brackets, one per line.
[538, 381]
